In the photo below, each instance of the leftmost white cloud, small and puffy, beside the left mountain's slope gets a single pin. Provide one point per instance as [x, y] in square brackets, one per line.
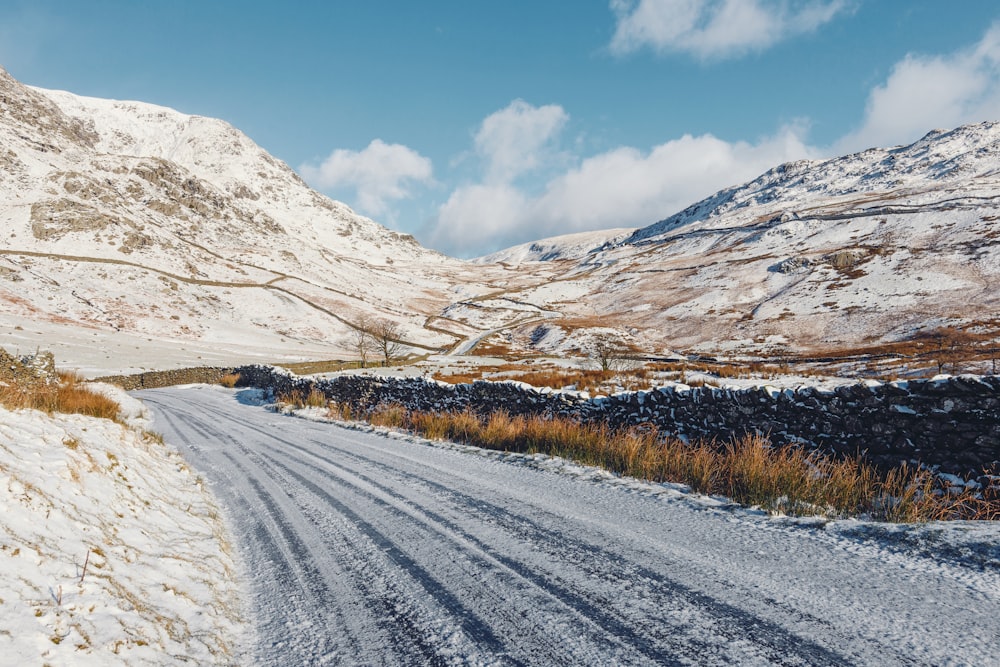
[379, 174]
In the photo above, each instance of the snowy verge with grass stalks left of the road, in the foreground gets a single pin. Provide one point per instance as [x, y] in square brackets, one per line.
[111, 549]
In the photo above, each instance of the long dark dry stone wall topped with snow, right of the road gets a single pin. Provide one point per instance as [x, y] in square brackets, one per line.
[953, 423]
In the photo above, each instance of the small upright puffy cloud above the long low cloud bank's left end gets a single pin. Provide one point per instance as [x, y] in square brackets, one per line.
[513, 139]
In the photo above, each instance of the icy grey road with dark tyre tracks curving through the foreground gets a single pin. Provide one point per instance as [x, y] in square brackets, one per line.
[363, 549]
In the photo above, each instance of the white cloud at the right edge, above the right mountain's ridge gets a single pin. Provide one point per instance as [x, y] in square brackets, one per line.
[928, 92]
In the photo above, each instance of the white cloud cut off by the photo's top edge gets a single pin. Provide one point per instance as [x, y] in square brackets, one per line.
[712, 29]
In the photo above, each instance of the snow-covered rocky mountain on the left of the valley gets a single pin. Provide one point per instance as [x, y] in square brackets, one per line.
[128, 223]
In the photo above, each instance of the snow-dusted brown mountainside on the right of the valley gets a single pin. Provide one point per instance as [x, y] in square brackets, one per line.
[811, 255]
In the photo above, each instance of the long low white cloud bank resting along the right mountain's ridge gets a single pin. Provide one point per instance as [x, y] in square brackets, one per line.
[624, 187]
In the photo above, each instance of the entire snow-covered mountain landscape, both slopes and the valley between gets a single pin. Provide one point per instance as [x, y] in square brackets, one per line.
[136, 236]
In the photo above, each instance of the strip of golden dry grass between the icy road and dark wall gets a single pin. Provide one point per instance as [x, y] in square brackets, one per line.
[750, 470]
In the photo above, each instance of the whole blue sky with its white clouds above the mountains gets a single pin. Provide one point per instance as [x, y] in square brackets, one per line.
[477, 125]
